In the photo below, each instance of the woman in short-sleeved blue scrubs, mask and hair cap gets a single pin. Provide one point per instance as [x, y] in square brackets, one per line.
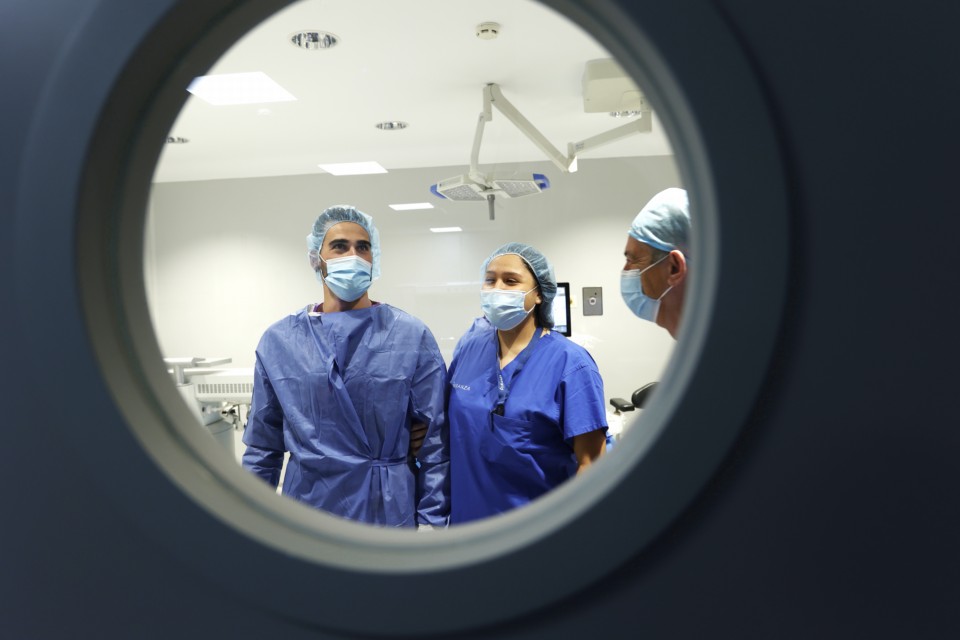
[526, 405]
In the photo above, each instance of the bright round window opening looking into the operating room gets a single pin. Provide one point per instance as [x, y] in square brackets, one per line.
[330, 390]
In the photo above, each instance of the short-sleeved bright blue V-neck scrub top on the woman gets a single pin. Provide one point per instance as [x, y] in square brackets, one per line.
[501, 462]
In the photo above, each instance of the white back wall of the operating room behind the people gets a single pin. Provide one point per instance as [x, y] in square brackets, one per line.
[226, 258]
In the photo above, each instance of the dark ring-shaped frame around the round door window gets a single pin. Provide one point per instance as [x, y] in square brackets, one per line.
[728, 159]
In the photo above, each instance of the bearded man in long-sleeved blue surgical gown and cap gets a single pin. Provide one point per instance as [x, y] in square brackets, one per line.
[353, 390]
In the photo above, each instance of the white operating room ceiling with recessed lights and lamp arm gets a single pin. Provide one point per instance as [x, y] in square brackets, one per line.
[418, 61]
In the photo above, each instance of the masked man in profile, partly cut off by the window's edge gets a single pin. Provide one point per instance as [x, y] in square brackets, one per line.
[654, 277]
